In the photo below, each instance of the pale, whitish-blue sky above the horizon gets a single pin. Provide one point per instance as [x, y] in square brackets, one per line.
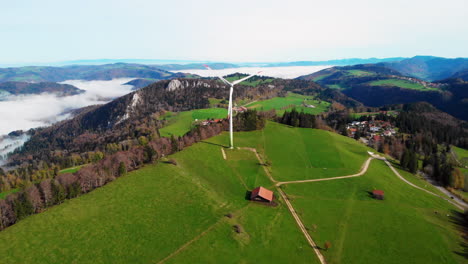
[231, 31]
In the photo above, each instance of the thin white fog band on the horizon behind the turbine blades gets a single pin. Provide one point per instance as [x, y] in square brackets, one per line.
[278, 72]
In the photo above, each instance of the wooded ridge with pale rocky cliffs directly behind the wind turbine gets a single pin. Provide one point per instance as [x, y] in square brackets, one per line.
[138, 114]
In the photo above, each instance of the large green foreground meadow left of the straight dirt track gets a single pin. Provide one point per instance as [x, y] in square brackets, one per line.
[151, 213]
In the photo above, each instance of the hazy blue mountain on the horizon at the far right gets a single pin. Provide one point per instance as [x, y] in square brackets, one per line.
[428, 68]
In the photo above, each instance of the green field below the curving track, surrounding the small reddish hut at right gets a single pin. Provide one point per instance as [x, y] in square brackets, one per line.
[408, 226]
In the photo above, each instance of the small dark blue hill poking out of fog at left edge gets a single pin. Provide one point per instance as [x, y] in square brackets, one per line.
[17, 88]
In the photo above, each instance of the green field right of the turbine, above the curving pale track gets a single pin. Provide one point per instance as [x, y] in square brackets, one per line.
[300, 153]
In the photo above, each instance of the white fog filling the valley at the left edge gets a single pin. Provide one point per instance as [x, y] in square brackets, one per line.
[23, 112]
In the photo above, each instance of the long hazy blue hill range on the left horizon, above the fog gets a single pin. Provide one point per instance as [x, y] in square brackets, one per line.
[84, 72]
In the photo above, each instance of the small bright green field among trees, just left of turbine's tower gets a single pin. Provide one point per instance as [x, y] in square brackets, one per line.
[180, 123]
